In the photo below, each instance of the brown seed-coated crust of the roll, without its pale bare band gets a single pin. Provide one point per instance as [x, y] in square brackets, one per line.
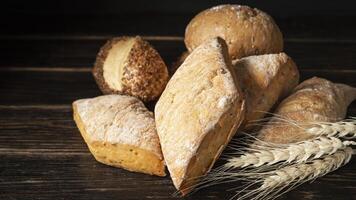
[144, 73]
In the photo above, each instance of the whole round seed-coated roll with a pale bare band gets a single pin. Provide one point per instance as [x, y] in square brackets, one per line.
[130, 65]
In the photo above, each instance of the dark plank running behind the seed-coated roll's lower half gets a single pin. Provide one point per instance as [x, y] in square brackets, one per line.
[58, 87]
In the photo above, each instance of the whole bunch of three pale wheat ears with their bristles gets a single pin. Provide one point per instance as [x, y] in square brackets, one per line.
[275, 167]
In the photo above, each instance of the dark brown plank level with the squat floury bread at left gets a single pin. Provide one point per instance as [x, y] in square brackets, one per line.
[47, 130]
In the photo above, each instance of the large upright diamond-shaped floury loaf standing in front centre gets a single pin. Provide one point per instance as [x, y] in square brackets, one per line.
[198, 113]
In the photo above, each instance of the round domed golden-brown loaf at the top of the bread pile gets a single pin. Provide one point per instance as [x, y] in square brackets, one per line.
[247, 31]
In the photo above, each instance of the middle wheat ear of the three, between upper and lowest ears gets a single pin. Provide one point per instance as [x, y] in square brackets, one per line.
[256, 156]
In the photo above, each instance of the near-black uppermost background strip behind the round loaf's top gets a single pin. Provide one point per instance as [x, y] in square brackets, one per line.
[114, 17]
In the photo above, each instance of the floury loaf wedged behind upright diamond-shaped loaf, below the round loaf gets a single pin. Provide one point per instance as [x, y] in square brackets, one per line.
[265, 79]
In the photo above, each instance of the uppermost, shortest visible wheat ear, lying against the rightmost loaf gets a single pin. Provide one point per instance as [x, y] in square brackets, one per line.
[346, 128]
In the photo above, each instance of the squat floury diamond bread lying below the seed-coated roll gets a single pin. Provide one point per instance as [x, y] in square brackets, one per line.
[120, 132]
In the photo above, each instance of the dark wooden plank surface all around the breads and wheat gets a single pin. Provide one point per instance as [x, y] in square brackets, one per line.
[42, 155]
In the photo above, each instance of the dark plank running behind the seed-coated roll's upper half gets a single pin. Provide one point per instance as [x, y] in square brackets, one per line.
[75, 52]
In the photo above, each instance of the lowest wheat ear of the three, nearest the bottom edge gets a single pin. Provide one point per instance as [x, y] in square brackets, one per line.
[289, 177]
